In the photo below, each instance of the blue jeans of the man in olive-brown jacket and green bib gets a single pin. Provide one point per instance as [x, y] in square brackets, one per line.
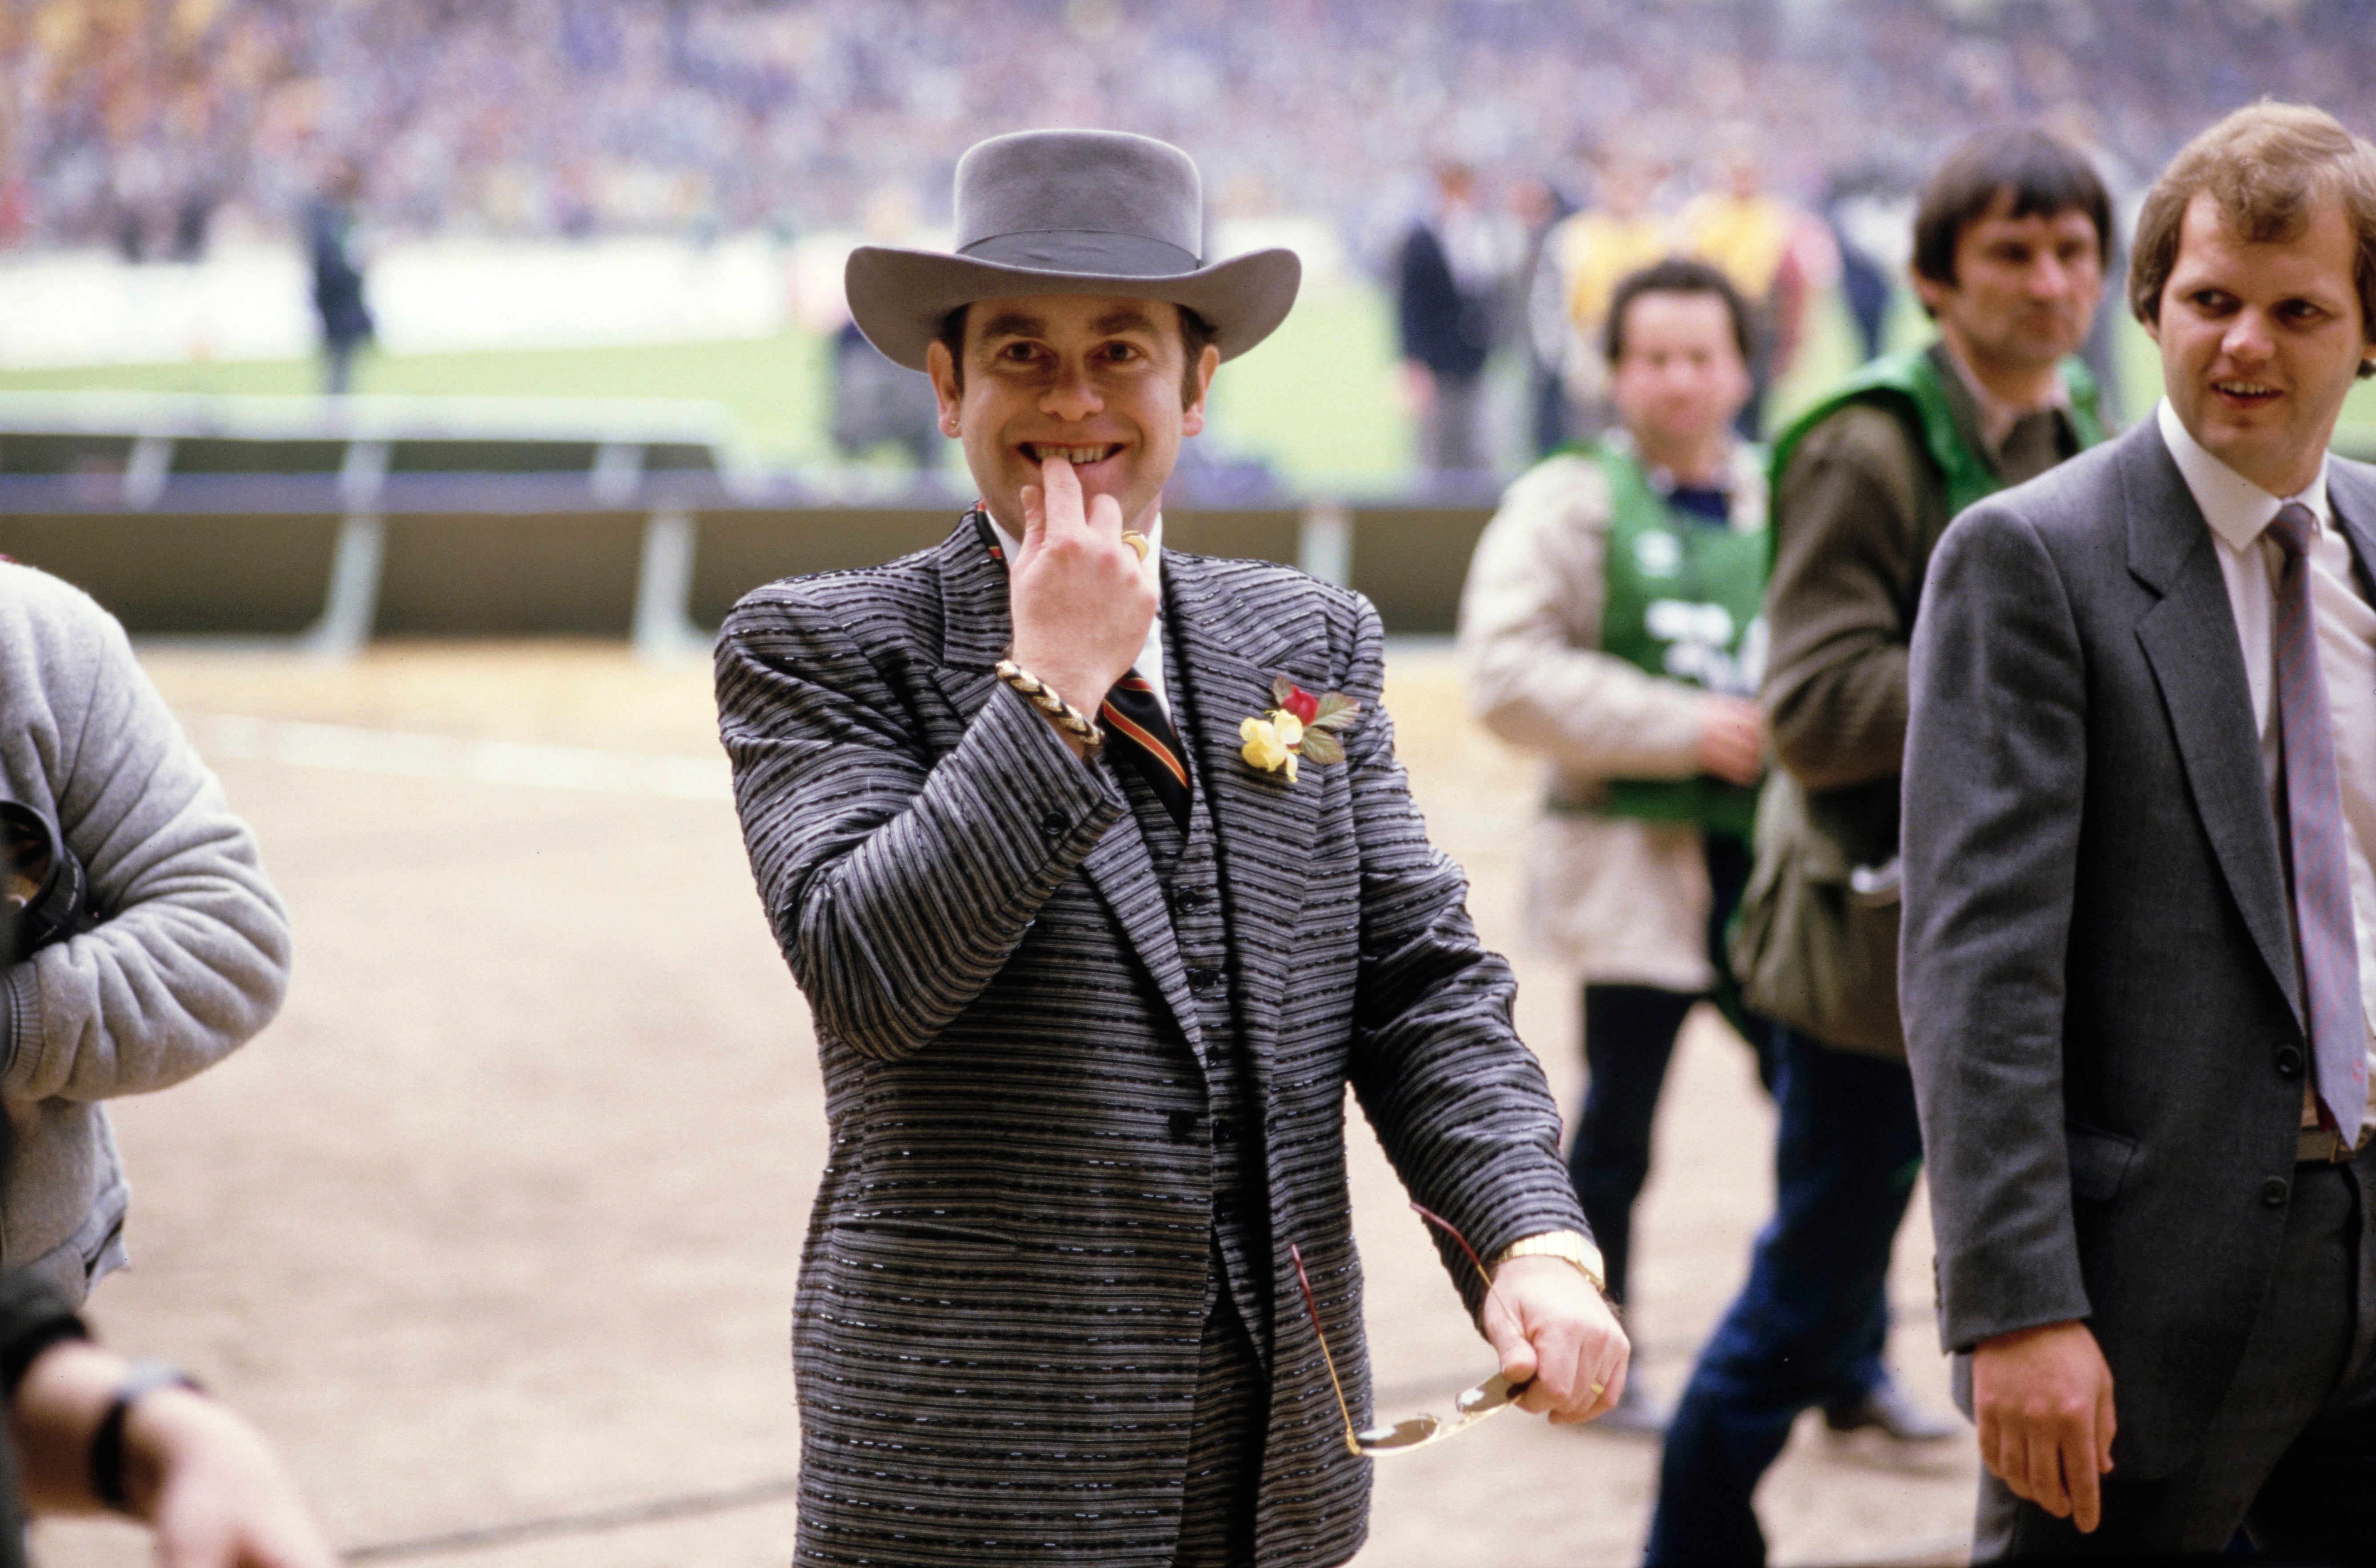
[1847, 1156]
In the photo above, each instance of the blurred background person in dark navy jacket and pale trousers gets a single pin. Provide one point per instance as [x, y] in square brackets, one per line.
[1448, 284]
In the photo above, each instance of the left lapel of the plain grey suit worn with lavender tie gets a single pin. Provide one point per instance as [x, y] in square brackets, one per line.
[2197, 657]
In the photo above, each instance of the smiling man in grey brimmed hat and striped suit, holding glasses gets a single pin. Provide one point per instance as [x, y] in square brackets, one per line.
[1101, 880]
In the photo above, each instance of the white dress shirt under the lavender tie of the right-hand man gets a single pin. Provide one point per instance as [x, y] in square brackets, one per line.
[2239, 514]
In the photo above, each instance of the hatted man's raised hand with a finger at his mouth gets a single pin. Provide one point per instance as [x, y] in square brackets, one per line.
[1080, 598]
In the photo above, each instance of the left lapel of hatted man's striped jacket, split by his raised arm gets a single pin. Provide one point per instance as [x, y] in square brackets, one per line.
[975, 636]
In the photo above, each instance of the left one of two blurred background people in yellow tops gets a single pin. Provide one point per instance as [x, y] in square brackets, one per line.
[1617, 234]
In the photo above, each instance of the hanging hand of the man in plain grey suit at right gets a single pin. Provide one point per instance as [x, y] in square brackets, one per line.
[2042, 1401]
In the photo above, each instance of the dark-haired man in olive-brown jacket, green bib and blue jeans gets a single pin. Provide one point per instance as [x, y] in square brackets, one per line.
[2011, 246]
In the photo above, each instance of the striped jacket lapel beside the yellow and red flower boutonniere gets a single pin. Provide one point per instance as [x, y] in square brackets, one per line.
[1263, 826]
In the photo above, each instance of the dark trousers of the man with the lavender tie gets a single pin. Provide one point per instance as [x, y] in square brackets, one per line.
[2292, 1455]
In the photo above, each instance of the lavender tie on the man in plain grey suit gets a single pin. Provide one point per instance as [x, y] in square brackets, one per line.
[2323, 890]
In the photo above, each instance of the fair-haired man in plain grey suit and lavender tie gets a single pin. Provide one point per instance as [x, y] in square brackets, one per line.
[2137, 949]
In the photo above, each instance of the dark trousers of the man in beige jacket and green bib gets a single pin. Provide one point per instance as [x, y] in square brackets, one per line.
[1629, 1042]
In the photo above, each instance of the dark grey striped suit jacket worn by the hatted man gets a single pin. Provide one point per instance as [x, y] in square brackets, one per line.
[1004, 1282]
